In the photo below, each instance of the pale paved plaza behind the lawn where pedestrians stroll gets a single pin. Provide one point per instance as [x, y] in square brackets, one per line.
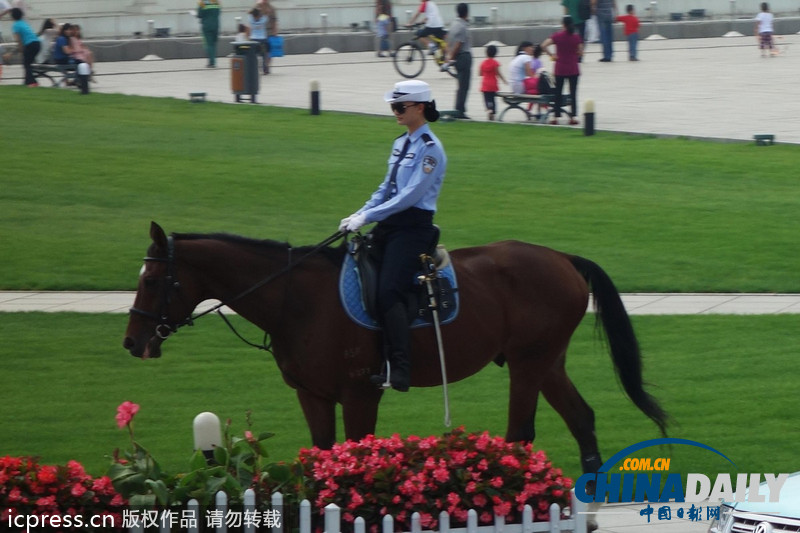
[709, 88]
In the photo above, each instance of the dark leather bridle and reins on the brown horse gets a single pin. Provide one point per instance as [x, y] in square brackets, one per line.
[171, 286]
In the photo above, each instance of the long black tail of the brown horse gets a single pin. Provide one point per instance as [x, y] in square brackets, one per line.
[622, 341]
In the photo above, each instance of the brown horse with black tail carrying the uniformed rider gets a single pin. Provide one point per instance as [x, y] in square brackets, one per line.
[520, 304]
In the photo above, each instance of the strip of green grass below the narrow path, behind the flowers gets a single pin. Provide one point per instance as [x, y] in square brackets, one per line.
[726, 381]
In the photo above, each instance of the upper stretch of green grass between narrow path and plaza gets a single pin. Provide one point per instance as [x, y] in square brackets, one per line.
[83, 177]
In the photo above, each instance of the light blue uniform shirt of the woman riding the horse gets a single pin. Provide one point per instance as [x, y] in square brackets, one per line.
[419, 177]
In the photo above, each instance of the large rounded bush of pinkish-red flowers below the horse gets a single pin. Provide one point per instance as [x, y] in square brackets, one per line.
[460, 471]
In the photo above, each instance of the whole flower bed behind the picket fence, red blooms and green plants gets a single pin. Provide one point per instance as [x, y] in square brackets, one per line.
[371, 478]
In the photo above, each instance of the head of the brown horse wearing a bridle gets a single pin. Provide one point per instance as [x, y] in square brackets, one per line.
[162, 304]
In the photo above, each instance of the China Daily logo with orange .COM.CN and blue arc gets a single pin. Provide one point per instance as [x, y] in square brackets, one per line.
[646, 480]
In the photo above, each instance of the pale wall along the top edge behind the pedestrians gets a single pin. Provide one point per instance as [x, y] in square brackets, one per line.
[121, 18]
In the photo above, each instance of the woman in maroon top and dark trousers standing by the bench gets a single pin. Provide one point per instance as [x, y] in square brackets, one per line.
[569, 48]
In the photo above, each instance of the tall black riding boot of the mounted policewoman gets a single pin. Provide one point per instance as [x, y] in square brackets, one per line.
[396, 339]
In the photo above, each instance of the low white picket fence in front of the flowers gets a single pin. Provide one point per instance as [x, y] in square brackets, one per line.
[220, 519]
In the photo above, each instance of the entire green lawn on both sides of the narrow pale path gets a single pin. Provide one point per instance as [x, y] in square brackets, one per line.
[83, 177]
